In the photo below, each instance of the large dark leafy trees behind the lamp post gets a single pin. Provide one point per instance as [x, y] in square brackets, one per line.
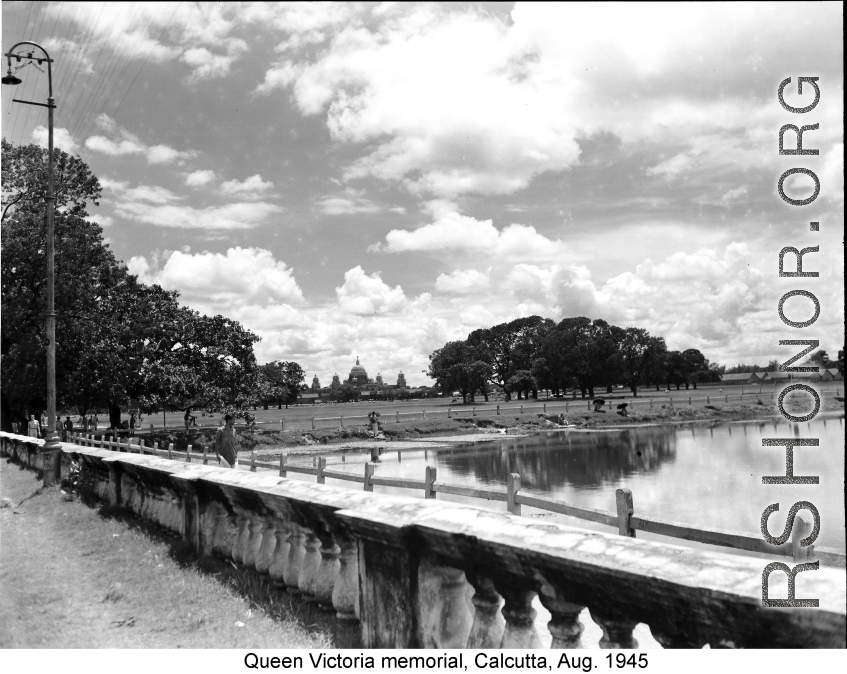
[117, 339]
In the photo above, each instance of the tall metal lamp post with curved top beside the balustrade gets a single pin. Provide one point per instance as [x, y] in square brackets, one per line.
[50, 451]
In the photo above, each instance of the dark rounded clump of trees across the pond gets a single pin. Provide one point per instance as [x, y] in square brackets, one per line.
[523, 356]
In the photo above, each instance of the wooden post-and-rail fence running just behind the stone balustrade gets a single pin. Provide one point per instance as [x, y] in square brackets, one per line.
[624, 520]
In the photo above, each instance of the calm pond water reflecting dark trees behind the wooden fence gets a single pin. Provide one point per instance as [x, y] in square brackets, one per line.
[694, 475]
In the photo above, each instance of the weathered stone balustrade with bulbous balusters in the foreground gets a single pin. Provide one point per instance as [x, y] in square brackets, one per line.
[405, 572]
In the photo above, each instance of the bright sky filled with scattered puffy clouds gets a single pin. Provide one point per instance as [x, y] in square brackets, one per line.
[376, 179]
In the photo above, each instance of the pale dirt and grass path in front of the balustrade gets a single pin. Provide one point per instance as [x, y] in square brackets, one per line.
[72, 578]
